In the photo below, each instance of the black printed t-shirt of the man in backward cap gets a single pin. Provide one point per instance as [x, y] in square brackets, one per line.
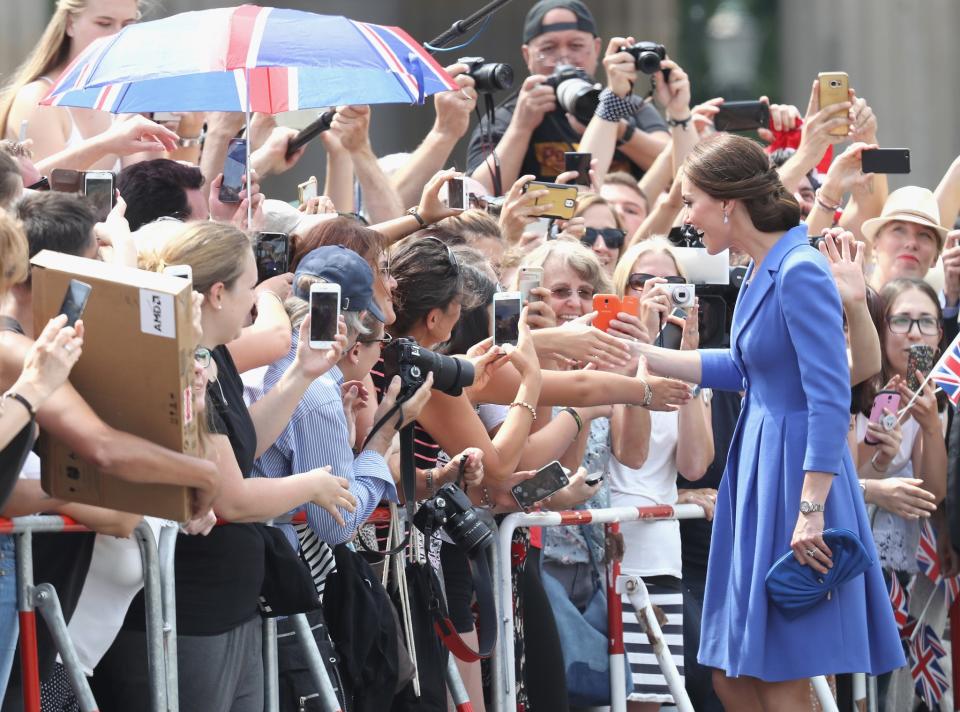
[551, 139]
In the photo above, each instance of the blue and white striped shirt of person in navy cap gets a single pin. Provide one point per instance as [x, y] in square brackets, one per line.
[316, 436]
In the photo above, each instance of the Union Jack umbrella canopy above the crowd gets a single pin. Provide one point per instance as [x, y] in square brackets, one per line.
[289, 59]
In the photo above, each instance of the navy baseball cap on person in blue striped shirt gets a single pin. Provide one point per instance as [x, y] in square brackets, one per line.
[337, 264]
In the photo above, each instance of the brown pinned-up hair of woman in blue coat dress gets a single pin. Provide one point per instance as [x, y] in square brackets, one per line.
[728, 167]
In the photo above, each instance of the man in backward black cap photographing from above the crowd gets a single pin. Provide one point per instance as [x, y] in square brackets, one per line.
[530, 131]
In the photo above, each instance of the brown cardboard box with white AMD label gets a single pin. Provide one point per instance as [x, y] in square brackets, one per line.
[135, 372]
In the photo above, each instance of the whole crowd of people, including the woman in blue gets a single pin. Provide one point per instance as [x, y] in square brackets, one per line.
[762, 411]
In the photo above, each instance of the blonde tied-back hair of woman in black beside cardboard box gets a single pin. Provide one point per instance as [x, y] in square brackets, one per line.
[216, 252]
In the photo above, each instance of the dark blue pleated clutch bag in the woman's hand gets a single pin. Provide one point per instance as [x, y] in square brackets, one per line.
[795, 588]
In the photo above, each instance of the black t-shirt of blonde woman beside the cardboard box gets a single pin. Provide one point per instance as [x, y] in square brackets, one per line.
[219, 576]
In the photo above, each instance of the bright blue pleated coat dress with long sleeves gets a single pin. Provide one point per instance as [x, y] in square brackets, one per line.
[787, 353]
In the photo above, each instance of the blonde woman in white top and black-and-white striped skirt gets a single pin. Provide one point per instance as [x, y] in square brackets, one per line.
[679, 441]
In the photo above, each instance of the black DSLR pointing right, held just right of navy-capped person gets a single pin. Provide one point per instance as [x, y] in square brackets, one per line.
[406, 358]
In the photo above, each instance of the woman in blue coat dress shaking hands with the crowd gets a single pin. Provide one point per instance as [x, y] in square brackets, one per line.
[789, 473]
